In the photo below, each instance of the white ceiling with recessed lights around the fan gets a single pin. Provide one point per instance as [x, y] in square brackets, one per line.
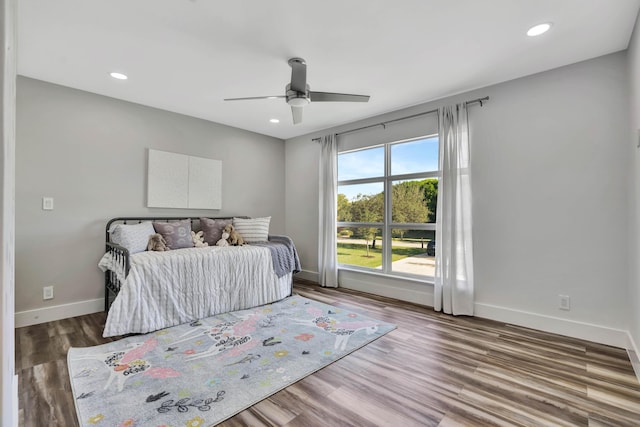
[187, 55]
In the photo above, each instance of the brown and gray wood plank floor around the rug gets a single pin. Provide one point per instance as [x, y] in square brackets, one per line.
[432, 370]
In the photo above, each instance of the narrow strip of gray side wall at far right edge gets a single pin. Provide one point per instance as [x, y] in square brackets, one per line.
[634, 193]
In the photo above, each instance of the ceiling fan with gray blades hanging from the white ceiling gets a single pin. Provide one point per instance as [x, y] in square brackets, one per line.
[298, 95]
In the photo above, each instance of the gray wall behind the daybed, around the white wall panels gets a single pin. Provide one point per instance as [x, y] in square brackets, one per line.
[89, 153]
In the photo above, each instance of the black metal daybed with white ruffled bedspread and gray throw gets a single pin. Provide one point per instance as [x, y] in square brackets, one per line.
[146, 291]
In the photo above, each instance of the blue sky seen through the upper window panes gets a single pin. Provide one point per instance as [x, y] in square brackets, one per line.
[409, 157]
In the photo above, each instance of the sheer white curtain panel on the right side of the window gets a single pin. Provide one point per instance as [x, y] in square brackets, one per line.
[453, 293]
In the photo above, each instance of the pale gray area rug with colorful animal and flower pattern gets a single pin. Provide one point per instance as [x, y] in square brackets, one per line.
[202, 373]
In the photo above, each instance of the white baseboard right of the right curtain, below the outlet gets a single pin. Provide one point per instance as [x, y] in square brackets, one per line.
[571, 328]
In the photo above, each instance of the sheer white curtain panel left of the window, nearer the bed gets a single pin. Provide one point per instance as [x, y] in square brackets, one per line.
[328, 264]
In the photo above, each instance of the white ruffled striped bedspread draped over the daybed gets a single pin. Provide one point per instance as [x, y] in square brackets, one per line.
[165, 289]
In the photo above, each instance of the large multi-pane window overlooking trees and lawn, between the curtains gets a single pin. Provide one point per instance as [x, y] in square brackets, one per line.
[387, 199]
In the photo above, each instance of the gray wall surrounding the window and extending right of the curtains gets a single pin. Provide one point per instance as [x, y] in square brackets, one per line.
[550, 181]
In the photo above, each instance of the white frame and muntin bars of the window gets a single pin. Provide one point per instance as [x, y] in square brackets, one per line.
[387, 225]
